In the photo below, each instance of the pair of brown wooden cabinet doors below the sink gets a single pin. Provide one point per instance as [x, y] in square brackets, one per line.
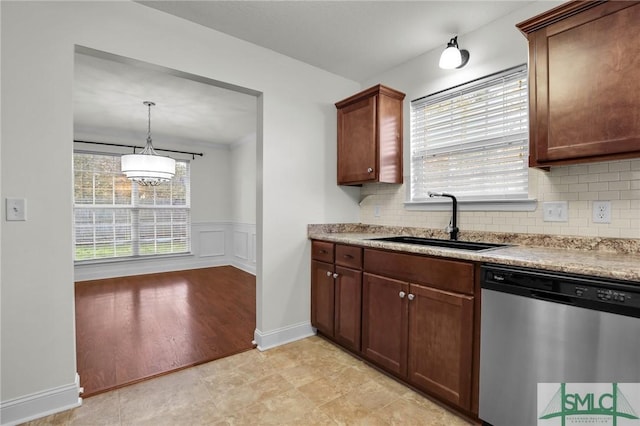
[421, 334]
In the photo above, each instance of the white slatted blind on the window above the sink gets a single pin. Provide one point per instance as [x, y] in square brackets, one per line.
[472, 140]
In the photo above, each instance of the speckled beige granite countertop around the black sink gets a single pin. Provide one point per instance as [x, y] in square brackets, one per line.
[610, 258]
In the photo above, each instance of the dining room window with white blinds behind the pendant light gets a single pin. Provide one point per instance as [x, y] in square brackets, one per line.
[116, 218]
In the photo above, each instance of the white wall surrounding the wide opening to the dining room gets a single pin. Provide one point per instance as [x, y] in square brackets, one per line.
[295, 174]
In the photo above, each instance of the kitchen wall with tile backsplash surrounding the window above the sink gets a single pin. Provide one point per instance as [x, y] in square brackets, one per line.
[493, 48]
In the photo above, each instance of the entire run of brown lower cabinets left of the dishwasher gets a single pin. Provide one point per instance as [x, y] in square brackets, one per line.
[411, 315]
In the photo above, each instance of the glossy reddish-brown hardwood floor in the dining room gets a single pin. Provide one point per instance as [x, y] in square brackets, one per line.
[133, 328]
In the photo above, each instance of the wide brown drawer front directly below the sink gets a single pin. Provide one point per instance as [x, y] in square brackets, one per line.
[450, 275]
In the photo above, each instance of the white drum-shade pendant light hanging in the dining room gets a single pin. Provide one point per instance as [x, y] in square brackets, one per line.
[148, 167]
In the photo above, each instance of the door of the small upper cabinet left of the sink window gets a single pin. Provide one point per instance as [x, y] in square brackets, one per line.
[357, 156]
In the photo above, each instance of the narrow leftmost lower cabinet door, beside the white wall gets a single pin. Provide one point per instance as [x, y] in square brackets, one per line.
[322, 297]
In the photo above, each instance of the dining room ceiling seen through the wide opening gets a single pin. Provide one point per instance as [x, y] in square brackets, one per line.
[108, 105]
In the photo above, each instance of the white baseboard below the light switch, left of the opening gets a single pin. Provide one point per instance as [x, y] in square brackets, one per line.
[41, 404]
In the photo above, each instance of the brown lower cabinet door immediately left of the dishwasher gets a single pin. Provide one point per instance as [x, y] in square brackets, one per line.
[441, 343]
